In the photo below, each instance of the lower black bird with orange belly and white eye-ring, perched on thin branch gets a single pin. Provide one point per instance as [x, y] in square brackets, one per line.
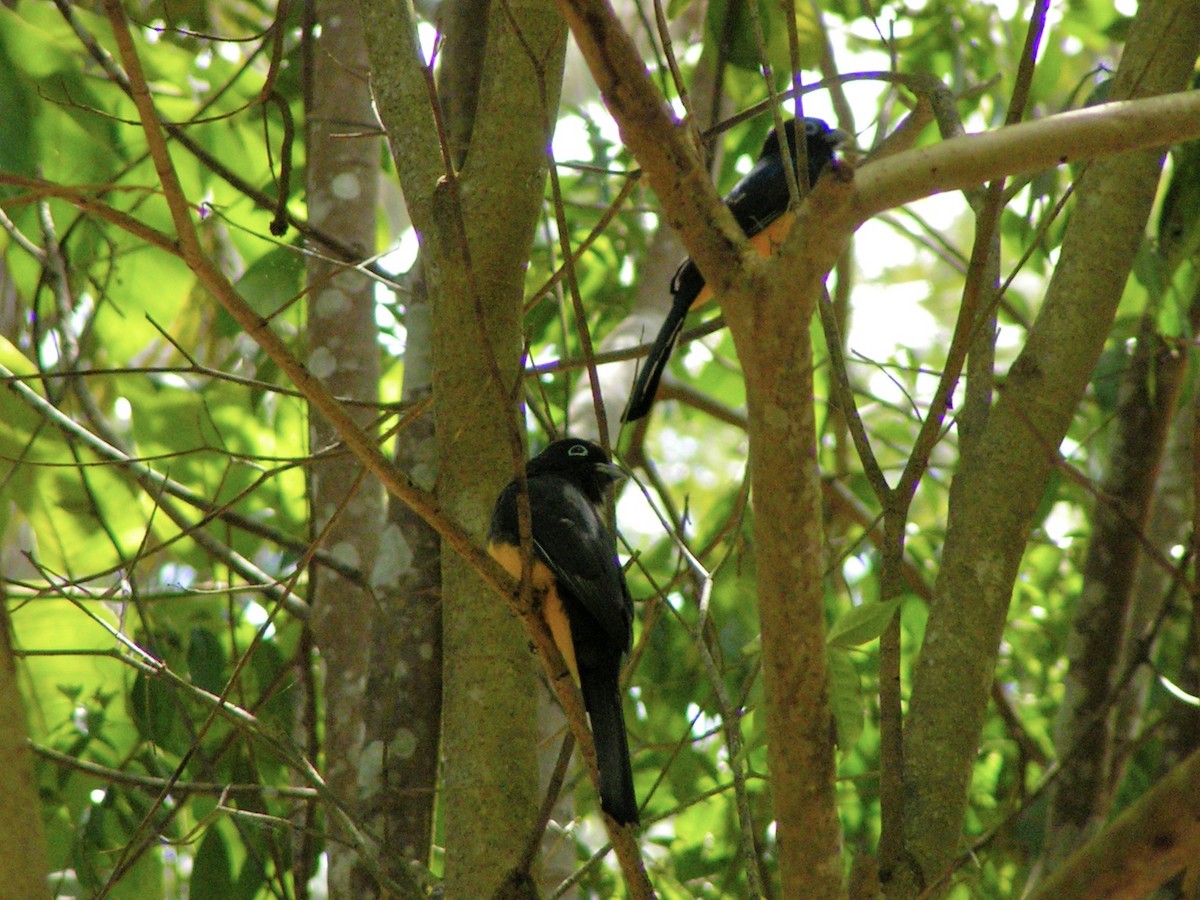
[581, 589]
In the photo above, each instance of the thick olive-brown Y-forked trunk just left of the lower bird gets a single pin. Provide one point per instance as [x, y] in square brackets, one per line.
[477, 229]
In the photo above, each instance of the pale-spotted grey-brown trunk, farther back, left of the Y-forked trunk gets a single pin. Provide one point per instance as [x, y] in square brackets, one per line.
[344, 352]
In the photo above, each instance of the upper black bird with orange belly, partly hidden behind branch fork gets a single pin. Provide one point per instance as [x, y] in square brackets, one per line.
[759, 203]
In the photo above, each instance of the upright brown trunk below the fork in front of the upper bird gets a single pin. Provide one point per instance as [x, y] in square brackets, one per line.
[777, 357]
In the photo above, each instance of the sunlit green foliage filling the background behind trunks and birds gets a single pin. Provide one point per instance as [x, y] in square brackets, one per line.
[153, 499]
